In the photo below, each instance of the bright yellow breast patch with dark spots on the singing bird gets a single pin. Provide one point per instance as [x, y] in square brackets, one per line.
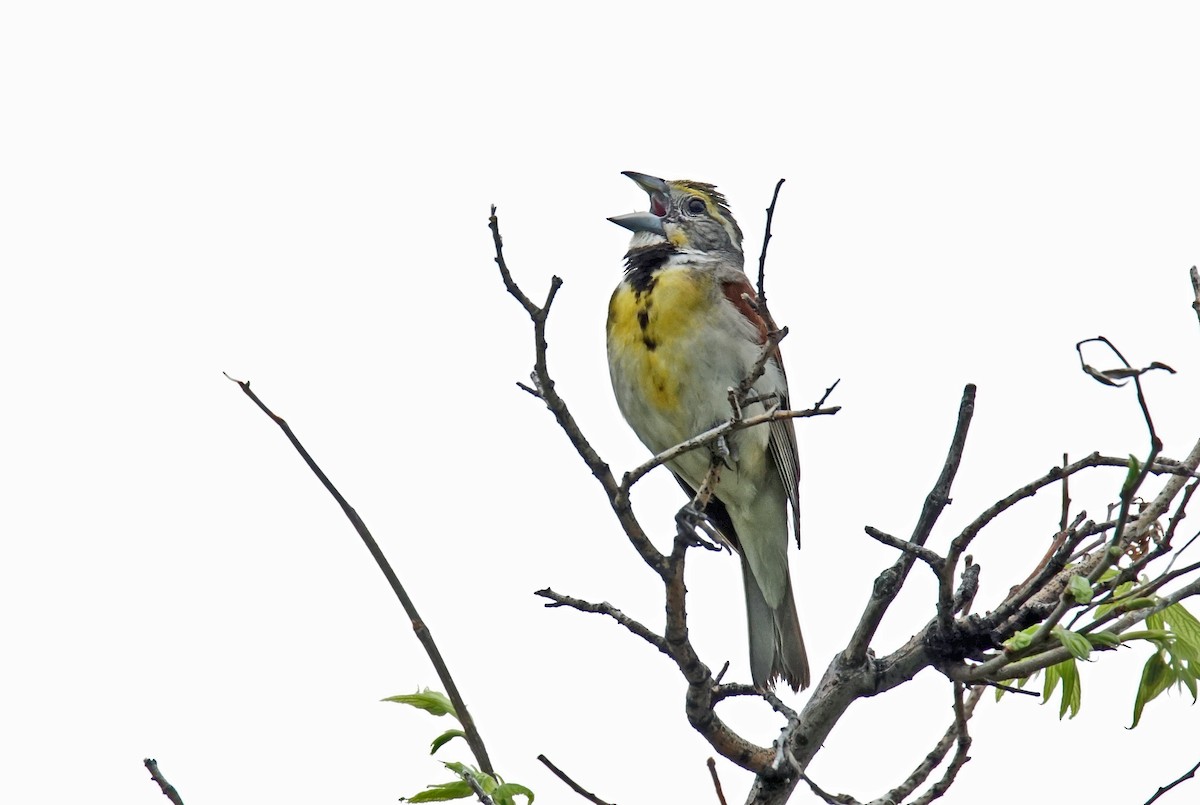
[651, 329]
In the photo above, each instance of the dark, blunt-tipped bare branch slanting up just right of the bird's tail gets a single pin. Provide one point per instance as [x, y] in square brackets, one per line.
[889, 585]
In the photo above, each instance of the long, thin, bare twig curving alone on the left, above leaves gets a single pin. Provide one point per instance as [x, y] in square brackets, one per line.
[419, 627]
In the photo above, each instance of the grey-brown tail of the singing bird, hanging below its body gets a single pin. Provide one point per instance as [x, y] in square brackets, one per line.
[777, 646]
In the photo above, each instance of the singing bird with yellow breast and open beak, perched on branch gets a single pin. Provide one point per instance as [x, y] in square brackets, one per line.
[685, 329]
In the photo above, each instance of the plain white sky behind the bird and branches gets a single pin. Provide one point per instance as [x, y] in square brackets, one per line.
[297, 194]
